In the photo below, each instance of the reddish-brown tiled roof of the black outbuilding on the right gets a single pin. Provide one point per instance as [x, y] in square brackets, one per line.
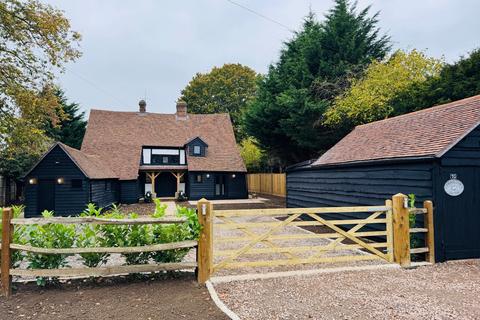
[426, 133]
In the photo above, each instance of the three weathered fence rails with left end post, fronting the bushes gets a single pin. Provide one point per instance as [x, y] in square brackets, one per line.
[8, 225]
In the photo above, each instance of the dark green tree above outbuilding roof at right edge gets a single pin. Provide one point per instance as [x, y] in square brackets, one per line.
[456, 81]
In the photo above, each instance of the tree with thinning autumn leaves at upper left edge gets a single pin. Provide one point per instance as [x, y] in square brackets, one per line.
[35, 42]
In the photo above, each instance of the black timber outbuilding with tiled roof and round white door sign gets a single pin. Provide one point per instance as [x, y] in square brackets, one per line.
[433, 153]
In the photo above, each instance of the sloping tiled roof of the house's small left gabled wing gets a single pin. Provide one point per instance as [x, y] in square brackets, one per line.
[92, 166]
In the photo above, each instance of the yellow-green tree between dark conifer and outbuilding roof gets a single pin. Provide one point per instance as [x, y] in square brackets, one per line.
[369, 97]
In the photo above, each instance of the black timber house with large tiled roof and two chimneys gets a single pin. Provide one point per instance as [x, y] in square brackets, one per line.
[126, 154]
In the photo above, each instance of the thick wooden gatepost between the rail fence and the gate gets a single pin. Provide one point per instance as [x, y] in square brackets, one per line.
[205, 241]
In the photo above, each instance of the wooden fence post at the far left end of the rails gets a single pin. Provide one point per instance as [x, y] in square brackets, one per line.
[7, 235]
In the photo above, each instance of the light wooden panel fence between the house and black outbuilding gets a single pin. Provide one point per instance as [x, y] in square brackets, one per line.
[268, 183]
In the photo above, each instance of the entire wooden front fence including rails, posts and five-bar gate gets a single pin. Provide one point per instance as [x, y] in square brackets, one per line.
[343, 235]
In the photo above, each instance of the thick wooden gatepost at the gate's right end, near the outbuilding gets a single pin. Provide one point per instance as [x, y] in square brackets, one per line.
[401, 230]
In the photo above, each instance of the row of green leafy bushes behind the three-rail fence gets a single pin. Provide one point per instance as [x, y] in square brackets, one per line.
[95, 235]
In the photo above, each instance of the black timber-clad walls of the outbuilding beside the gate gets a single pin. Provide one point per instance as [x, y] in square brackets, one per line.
[457, 219]
